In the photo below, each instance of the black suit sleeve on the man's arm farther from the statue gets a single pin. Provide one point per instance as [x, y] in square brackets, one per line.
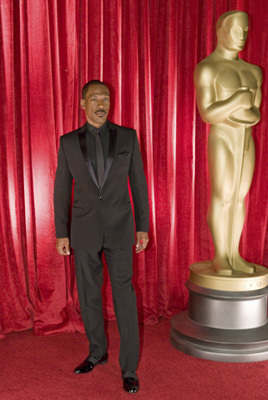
[62, 194]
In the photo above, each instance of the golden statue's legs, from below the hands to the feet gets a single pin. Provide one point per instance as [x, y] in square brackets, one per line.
[231, 156]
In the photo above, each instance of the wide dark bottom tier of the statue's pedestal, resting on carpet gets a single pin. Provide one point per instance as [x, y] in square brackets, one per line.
[245, 345]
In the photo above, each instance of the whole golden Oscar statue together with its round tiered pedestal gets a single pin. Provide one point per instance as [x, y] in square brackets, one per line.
[227, 316]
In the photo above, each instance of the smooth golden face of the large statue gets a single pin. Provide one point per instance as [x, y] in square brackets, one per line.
[235, 32]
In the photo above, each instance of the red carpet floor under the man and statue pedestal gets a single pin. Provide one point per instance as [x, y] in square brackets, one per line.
[40, 368]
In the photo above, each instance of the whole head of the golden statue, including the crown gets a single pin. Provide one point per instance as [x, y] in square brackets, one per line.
[232, 30]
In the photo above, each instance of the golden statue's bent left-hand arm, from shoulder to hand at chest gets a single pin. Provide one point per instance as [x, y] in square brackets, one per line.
[211, 110]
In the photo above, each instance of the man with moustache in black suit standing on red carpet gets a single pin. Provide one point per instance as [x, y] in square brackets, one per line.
[101, 157]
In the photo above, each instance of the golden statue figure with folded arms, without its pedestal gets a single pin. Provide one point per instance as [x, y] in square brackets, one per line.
[228, 97]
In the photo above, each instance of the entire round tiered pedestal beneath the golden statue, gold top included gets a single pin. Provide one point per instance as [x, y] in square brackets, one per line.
[224, 325]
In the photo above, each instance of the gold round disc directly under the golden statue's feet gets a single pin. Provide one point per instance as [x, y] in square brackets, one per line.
[202, 274]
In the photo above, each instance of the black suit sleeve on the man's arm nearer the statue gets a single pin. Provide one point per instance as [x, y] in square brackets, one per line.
[139, 189]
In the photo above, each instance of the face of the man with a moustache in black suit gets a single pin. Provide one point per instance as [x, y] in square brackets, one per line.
[96, 105]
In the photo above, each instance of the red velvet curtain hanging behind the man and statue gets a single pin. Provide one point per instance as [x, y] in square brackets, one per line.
[146, 51]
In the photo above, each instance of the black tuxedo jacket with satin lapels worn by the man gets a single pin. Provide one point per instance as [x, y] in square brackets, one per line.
[100, 213]
